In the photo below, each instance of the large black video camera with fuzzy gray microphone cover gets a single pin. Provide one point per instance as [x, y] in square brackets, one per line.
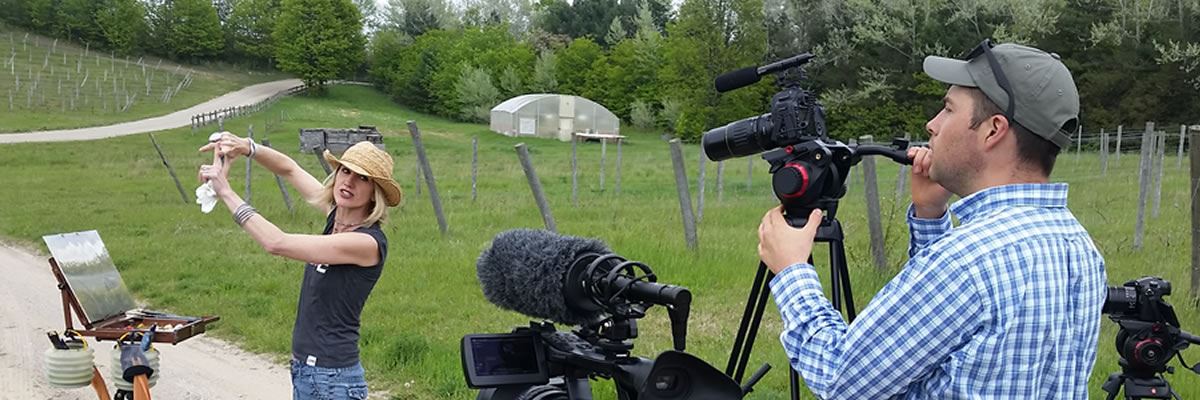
[579, 282]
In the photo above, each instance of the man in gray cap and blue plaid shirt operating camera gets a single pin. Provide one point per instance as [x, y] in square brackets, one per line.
[1005, 306]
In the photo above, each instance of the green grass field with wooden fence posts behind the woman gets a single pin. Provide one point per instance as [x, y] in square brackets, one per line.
[177, 259]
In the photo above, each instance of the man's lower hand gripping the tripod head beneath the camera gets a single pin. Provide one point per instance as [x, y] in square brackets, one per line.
[782, 246]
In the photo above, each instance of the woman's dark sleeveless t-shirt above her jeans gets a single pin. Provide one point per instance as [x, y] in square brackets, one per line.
[332, 298]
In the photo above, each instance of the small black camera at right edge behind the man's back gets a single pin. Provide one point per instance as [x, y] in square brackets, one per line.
[1149, 338]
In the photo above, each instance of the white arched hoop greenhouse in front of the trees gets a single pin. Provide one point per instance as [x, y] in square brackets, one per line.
[553, 117]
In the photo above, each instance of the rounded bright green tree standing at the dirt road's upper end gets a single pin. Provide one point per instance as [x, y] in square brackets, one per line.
[319, 40]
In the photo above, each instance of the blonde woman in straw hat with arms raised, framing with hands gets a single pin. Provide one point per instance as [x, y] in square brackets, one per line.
[341, 265]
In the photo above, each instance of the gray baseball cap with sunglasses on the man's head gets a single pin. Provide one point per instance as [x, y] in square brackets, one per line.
[1045, 97]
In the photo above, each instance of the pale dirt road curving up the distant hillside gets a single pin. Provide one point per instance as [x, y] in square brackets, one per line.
[247, 97]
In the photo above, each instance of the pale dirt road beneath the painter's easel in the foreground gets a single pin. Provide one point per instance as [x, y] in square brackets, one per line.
[200, 368]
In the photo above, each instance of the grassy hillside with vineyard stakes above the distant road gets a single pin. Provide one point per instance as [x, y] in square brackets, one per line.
[47, 85]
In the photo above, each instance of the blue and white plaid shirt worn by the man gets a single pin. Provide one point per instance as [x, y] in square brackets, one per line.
[1007, 306]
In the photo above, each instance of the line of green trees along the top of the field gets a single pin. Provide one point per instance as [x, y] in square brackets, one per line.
[653, 64]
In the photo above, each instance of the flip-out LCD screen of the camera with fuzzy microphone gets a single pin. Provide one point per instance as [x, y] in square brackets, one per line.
[499, 360]
